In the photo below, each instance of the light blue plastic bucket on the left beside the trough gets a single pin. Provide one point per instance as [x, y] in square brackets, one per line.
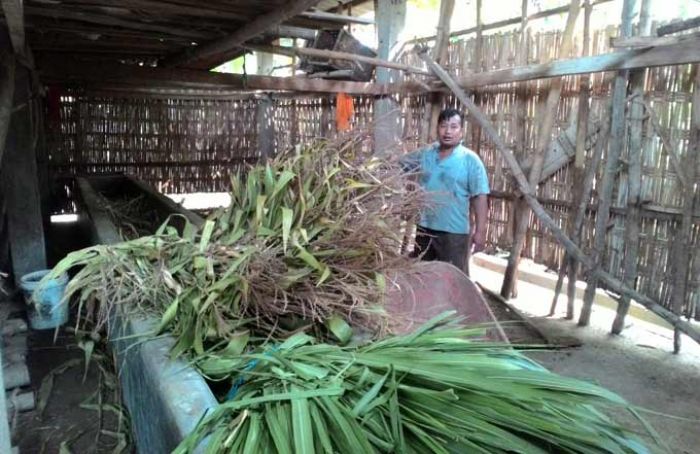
[46, 310]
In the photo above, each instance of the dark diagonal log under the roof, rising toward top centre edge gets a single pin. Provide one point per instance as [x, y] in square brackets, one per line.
[211, 52]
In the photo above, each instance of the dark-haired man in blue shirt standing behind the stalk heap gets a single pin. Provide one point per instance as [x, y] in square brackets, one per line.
[454, 178]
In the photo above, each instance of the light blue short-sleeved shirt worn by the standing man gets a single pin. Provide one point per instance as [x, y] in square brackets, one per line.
[450, 183]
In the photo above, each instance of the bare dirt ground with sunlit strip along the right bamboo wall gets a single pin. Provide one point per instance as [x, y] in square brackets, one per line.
[637, 365]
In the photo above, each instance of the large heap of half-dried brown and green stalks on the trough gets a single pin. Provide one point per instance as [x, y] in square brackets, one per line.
[307, 238]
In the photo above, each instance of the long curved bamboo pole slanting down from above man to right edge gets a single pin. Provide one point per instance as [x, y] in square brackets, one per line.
[529, 195]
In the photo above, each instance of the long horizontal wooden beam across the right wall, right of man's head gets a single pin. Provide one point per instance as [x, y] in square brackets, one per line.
[675, 54]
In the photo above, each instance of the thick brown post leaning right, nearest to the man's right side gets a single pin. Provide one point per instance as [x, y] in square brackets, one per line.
[544, 137]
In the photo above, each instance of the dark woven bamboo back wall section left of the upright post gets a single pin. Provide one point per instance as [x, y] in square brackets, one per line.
[179, 146]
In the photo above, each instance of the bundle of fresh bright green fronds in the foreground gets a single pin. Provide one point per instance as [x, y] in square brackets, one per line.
[432, 391]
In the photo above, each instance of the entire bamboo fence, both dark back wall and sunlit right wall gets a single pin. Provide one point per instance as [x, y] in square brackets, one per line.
[193, 145]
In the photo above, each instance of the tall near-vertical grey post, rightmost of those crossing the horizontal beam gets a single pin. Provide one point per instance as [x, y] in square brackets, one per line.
[634, 176]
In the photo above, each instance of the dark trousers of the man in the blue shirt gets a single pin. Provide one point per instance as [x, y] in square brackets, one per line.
[448, 247]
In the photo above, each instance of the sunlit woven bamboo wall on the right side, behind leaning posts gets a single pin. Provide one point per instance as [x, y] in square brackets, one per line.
[668, 91]
